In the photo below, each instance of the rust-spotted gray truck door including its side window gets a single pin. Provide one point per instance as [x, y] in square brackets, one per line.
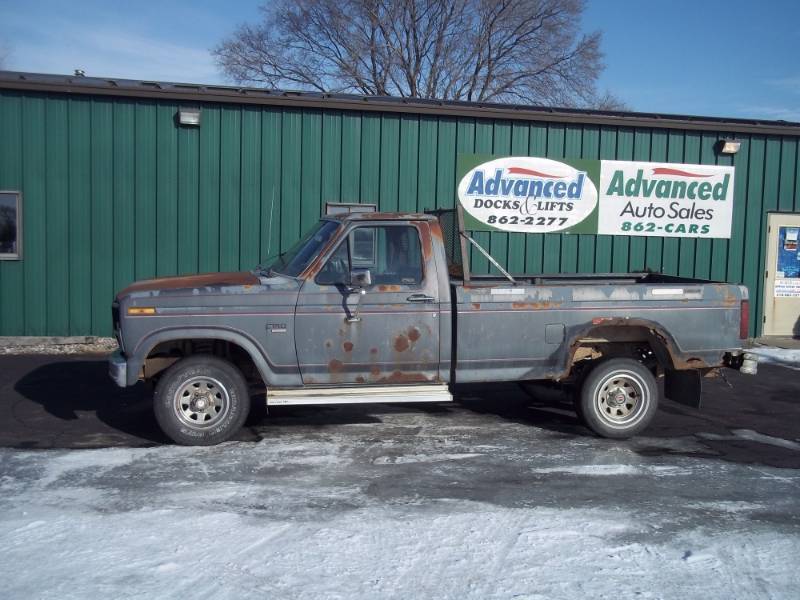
[394, 338]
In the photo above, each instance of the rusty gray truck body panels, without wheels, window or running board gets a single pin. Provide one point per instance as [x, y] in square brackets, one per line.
[299, 333]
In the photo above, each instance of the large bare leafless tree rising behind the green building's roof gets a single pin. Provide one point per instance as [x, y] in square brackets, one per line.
[528, 51]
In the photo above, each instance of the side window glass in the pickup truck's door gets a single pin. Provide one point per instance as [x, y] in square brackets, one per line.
[391, 253]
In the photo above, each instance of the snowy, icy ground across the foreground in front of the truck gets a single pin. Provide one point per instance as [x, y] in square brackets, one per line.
[399, 503]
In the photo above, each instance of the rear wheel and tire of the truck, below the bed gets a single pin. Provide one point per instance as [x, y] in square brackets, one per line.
[618, 398]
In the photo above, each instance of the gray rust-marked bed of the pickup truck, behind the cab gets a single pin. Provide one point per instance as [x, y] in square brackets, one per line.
[530, 329]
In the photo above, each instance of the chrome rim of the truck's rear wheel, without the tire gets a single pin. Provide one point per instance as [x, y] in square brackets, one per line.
[621, 399]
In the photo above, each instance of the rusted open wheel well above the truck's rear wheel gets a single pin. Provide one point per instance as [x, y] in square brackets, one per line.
[639, 342]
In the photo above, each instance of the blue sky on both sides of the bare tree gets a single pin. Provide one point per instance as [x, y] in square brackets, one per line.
[732, 58]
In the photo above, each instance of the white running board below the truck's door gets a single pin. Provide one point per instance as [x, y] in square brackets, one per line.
[359, 395]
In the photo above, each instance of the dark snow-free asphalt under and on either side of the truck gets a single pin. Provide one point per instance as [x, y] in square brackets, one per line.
[69, 402]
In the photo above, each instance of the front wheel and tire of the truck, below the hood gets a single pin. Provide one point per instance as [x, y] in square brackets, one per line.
[201, 401]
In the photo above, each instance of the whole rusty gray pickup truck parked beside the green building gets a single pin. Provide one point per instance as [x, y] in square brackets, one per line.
[381, 307]
